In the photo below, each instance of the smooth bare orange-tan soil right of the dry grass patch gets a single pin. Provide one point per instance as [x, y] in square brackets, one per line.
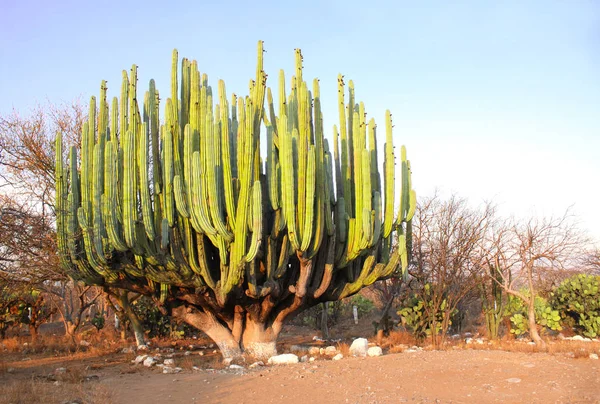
[462, 376]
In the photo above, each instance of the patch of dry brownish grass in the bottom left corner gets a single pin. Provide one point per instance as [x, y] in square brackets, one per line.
[32, 391]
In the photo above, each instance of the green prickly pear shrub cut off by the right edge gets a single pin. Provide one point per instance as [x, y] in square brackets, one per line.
[577, 299]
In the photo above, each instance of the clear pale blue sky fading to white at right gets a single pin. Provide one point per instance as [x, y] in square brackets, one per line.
[493, 99]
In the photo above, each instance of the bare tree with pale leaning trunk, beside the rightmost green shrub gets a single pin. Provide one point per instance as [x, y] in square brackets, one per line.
[530, 252]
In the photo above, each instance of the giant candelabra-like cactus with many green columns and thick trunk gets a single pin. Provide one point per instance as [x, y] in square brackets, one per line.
[226, 239]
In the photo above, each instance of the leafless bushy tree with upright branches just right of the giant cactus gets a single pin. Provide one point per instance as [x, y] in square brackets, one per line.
[448, 255]
